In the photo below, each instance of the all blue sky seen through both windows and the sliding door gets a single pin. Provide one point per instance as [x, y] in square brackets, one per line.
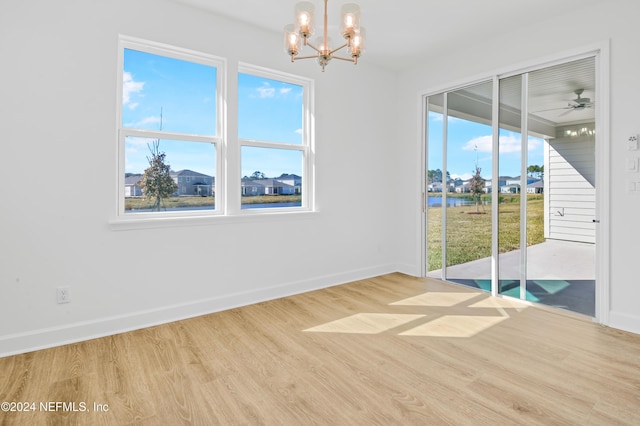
[180, 96]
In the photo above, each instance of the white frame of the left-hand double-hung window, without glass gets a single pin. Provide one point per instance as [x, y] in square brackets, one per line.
[218, 140]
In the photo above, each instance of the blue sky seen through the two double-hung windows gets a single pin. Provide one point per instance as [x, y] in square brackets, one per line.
[180, 96]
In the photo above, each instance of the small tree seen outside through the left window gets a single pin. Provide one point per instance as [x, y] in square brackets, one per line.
[156, 182]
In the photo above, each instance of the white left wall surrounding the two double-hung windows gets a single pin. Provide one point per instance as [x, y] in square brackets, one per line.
[57, 120]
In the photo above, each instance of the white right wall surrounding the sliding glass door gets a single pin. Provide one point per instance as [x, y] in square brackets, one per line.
[613, 22]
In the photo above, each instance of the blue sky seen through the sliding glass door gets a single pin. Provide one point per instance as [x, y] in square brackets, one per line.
[470, 142]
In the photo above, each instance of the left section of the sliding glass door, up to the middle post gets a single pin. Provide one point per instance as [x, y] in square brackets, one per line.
[458, 201]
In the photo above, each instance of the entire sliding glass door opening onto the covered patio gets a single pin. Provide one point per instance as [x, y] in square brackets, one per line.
[525, 175]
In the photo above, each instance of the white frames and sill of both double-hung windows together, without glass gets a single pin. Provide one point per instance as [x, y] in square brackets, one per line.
[228, 183]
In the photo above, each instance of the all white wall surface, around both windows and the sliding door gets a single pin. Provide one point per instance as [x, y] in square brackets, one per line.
[57, 120]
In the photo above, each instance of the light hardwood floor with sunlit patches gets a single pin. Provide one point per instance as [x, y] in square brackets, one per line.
[392, 350]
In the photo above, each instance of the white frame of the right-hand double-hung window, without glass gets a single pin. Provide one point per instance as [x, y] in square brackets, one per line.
[306, 147]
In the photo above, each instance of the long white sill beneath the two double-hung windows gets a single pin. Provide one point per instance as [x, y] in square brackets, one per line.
[137, 222]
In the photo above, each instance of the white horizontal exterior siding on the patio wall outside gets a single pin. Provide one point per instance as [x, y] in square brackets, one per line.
[570, 188]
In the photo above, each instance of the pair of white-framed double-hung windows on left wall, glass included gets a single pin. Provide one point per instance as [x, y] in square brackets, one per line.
[172, 147]
